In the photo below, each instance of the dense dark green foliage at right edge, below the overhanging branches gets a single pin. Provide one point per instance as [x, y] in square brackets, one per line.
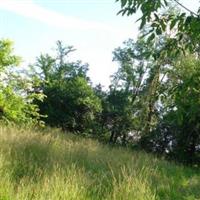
[178, 133]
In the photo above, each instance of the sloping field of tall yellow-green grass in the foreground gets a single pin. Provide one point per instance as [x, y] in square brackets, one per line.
[49, 165]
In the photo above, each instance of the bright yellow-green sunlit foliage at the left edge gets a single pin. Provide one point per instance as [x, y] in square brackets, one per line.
[16, 103]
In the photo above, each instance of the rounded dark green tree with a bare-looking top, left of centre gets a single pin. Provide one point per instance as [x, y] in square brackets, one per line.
[70, 101]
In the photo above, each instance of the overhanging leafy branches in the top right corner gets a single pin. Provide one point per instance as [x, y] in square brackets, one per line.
[185, 24]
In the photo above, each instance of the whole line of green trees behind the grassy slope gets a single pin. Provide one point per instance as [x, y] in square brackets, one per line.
[153, 101]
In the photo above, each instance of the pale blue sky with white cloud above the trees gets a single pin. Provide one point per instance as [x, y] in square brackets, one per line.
[91, 26]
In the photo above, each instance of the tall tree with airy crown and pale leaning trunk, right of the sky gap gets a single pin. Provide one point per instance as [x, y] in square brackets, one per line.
[140, 74]
